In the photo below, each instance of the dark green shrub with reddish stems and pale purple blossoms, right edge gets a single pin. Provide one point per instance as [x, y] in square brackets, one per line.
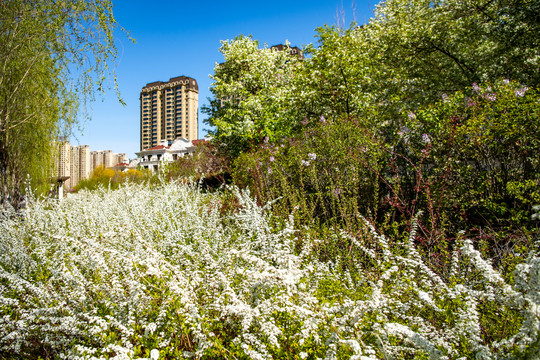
[472, 162]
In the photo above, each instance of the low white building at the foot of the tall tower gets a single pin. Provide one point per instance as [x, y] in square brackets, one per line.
[167, 151]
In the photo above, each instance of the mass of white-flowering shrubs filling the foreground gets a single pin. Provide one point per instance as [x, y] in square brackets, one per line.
[166, 273]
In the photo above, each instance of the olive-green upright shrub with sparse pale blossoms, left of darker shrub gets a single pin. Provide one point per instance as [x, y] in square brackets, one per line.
[329, 173]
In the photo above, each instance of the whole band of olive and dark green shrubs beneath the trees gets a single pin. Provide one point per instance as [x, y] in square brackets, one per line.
[470, 162]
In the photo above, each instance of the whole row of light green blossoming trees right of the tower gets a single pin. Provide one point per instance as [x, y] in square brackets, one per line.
[404, 58]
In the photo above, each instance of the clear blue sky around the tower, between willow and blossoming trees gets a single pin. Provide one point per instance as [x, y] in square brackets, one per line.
[176, 38]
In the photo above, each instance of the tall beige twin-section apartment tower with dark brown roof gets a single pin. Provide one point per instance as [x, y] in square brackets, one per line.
[169, 110]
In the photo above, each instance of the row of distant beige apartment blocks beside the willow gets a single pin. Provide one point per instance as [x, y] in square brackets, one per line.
[78, 162]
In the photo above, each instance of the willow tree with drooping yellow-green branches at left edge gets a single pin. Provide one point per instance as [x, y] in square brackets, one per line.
[54, 57]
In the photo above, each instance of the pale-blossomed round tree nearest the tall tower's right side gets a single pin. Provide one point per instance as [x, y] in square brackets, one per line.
[251, 92]
